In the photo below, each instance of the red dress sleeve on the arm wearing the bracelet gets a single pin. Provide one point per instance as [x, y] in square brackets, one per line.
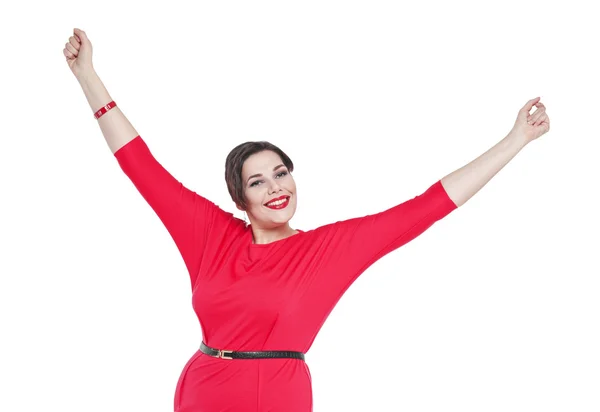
[188, 217]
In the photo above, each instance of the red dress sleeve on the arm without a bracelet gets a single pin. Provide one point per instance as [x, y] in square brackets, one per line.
[355, 244]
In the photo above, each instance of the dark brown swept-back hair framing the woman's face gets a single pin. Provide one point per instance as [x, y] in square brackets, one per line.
[235, 160]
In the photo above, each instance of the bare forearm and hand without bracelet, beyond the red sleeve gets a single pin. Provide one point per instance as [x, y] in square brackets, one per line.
[463, 183]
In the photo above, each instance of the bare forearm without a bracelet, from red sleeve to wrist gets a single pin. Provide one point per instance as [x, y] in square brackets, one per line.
[463, 183]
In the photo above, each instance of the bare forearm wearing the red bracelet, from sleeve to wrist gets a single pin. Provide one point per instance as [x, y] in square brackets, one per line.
[114, 125]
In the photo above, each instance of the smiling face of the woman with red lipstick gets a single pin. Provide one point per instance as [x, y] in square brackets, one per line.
[266, 179]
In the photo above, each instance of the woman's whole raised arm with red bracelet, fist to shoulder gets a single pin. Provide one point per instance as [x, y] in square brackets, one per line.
[190, 219]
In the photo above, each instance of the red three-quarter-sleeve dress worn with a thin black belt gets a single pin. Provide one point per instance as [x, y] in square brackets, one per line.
[275, 296]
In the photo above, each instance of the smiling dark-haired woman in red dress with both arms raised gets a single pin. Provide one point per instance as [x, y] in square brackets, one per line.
[262, 291]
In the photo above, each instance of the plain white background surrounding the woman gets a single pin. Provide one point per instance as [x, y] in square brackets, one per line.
[494, 308]
